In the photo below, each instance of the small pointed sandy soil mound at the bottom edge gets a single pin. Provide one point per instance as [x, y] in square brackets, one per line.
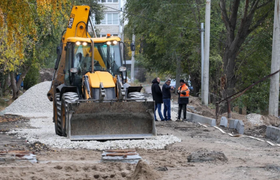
[144, 172]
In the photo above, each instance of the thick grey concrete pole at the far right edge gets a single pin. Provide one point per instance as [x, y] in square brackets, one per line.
[275, 61]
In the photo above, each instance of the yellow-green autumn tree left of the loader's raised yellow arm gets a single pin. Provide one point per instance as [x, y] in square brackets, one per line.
[31, 31]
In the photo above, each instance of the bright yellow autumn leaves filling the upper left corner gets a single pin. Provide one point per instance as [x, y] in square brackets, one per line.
[19, 24]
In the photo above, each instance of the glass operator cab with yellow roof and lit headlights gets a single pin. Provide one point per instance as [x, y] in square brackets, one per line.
[107, 57]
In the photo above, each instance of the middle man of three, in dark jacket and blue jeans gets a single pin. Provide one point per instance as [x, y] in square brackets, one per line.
[166, 96]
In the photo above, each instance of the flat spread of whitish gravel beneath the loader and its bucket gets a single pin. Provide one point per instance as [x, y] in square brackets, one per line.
[44, 132]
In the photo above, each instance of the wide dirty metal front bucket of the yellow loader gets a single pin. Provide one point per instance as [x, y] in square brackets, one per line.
[90, 120]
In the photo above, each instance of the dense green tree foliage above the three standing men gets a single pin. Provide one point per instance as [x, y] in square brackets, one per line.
[169, 33]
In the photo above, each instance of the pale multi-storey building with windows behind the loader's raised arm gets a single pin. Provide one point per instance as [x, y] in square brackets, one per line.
[111, 23]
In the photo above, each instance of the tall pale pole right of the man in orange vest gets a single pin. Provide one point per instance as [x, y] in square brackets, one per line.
[206, 54]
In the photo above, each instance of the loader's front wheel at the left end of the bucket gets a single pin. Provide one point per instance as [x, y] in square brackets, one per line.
[63, 114]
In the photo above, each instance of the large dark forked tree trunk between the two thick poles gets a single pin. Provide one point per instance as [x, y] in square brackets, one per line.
[253, 14]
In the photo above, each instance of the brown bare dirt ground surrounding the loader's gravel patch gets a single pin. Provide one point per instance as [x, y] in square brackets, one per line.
[204, 153]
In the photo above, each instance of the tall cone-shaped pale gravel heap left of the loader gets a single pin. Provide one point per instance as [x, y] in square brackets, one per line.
[33, 102]
